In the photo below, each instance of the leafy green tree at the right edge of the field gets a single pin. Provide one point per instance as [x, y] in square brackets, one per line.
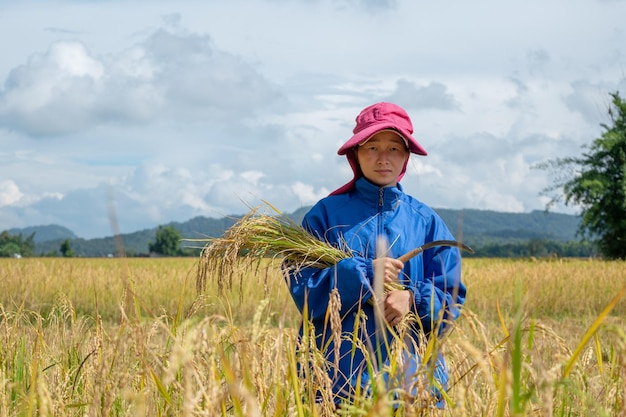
[596, 182]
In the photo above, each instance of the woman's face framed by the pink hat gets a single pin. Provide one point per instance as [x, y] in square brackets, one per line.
[382, 158]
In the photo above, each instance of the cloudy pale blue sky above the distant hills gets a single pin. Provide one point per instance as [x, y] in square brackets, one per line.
[118, 116]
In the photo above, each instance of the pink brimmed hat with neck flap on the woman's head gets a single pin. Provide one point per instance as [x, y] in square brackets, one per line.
[371, 120]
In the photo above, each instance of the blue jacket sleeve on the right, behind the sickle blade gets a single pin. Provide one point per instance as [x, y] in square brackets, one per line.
[440, 293]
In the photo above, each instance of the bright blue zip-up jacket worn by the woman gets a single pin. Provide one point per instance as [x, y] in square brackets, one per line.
[354, 220]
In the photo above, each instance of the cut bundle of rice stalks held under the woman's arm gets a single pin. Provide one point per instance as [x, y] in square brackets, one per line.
[257, 236]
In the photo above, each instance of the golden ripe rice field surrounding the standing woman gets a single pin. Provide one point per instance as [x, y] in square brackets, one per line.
[131, 337]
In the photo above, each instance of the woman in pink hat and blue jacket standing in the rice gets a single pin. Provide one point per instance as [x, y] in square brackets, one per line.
[353, 217]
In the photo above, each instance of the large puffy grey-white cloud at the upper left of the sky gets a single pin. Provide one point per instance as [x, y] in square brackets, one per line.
[167, 76]
